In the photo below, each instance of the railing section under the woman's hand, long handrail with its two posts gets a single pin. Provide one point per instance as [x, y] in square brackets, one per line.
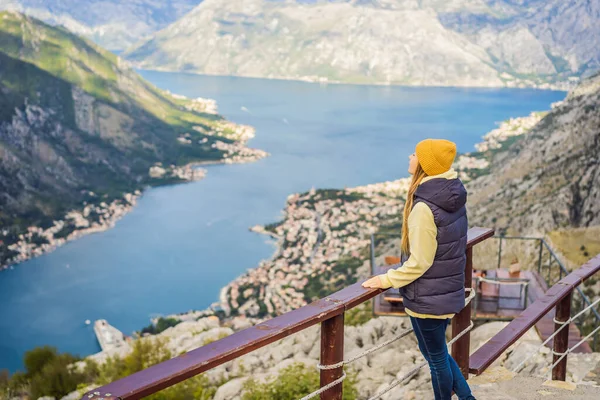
[329, 312]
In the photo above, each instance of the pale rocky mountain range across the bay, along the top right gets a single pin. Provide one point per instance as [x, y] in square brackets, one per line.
[428, 42]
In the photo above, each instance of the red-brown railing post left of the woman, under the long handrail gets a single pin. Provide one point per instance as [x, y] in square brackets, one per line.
[332, 352]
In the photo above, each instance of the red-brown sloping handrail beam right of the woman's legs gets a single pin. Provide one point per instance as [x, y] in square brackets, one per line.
[497, 345]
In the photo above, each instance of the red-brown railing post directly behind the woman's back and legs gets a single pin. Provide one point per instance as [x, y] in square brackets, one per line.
[462, 320]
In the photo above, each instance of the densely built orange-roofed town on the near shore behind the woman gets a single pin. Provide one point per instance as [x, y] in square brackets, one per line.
[322, 228]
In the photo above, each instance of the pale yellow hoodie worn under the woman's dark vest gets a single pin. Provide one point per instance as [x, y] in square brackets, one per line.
[422, 234]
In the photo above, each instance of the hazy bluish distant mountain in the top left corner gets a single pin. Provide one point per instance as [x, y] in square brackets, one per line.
[113, 24]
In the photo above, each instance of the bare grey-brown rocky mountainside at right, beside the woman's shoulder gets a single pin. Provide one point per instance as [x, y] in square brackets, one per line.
[550, 178]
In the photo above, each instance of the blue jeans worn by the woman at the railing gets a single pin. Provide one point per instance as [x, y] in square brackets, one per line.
[446, 377]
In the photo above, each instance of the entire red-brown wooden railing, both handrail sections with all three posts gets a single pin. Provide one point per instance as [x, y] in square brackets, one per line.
[329, 312]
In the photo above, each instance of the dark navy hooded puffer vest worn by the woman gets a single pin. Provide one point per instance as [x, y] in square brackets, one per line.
[441, 290]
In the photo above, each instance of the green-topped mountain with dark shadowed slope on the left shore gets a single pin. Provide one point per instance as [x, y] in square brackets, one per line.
[79, 128]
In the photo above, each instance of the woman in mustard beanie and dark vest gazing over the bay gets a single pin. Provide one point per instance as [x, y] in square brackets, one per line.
[434, 241]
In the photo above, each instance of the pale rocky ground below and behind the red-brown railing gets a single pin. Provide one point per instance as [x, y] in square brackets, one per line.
[375, 371]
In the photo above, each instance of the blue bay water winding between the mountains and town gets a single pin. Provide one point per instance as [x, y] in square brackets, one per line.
[182, 243]
